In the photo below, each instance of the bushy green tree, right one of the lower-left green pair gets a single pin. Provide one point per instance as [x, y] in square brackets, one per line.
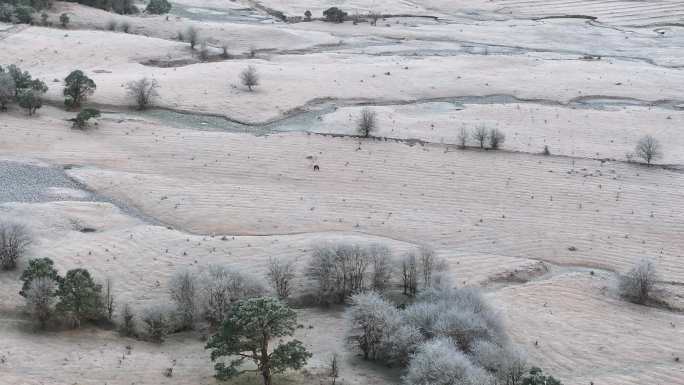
[80, 296]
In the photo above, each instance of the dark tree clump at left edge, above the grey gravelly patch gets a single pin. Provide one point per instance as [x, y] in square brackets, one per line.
[17, 85]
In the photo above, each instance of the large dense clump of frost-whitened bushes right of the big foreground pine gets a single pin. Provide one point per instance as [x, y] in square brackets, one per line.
[447, 336]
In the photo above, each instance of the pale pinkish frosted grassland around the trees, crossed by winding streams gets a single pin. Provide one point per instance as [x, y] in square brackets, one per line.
[216, 174]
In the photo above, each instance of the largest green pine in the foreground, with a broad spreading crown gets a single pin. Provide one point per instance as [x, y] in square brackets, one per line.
[246, 333]
